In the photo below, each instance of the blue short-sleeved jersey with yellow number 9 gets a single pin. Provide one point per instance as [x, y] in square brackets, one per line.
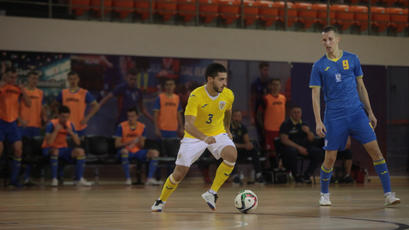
[338, 81]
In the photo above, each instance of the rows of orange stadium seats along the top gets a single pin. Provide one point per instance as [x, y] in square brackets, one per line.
[285, 15]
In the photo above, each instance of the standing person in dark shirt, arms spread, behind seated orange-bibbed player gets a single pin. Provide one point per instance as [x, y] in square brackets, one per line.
[128, 96]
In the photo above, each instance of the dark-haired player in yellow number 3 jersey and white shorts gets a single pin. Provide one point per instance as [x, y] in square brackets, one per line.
[207, 125]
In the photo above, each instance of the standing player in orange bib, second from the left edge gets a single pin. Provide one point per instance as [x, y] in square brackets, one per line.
[31, 118]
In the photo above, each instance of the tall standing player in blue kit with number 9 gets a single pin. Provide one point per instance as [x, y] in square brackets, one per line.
[347, 111]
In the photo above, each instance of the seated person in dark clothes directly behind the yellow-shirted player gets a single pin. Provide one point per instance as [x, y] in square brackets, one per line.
[244, 146]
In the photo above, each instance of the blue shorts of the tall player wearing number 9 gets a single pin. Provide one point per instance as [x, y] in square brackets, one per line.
[355, 125]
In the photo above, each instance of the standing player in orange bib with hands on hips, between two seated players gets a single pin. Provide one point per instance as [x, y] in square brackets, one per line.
[77, 99]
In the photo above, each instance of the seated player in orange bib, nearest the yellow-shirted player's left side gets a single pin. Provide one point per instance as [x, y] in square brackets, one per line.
[130, 140]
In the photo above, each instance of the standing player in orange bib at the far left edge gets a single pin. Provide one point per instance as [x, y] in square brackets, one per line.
[10, 95]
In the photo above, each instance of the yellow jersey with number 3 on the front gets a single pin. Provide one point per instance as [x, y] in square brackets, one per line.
[209, 111]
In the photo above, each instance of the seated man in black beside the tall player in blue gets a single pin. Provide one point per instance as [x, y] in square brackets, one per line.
[297, 138]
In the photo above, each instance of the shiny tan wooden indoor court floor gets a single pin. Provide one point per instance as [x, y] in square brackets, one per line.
[117, 207]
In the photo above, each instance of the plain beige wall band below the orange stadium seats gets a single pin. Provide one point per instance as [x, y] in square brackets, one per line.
[53, 35]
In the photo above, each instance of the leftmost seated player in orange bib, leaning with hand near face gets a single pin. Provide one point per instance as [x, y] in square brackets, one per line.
[55, 145]
